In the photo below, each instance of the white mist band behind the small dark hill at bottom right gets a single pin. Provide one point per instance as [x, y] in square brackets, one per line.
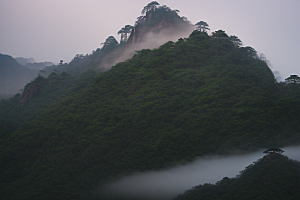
[166, 184]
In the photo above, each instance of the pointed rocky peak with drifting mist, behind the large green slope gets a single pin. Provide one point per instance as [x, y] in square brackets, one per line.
[159, 25]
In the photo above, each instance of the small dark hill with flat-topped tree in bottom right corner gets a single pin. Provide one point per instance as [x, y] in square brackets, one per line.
[273, 177]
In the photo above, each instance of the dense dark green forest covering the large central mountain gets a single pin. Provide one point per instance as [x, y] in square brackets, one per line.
[73, 129]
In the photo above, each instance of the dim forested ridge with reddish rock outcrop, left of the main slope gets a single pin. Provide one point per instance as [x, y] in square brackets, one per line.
[39, 95]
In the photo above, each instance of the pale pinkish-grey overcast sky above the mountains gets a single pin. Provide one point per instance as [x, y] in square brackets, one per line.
[51, 30]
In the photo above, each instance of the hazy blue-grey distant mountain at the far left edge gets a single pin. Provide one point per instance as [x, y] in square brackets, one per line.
[13, 76]
